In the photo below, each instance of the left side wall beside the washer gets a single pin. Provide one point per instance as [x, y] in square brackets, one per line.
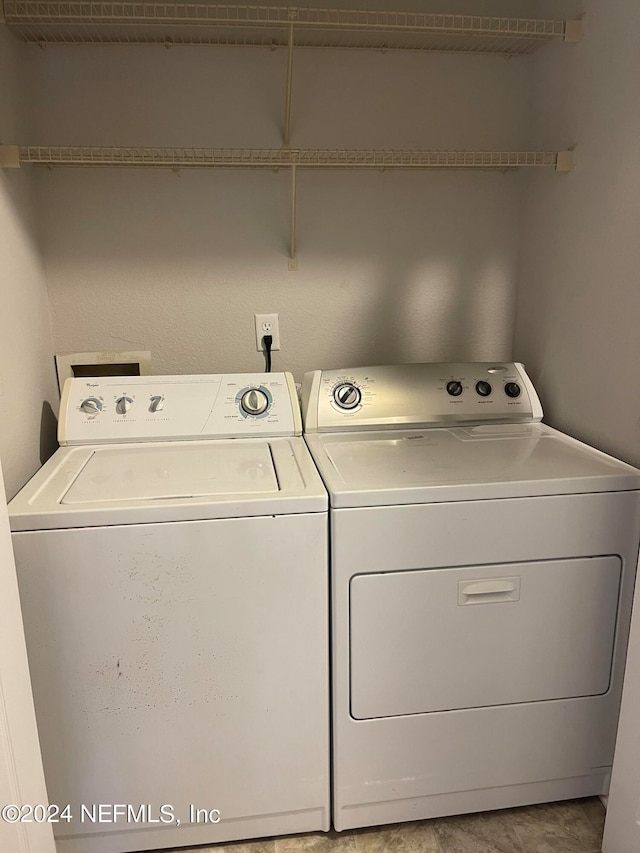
[28, 391]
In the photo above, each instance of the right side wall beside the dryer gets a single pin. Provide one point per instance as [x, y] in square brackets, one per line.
[578, 314]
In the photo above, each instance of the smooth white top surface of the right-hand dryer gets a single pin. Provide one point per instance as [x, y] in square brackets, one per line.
[470, 463]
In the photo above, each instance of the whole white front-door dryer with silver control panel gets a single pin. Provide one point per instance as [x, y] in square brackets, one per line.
[482, 571]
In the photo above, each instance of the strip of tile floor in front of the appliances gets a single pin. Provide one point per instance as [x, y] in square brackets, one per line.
[574, 826]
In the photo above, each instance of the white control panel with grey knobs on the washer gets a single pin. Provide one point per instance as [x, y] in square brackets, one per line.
[166, 408]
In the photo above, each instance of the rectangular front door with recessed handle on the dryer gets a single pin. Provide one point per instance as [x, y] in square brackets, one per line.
[470, 637]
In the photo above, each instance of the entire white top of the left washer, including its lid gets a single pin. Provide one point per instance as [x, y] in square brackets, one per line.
[169, 481]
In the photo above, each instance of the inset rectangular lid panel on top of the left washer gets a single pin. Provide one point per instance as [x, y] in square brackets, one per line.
[183, 471]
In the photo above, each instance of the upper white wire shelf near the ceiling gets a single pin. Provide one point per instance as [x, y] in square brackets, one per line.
[49, 22]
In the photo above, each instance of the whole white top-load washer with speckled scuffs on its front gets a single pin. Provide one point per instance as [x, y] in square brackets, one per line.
[172, 563]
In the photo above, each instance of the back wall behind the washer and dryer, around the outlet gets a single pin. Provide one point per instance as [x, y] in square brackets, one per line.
[392, 267]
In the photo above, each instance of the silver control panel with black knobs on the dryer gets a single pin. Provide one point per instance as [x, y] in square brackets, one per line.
[418, 395]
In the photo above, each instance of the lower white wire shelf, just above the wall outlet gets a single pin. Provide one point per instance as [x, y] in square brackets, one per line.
[275, 158]
